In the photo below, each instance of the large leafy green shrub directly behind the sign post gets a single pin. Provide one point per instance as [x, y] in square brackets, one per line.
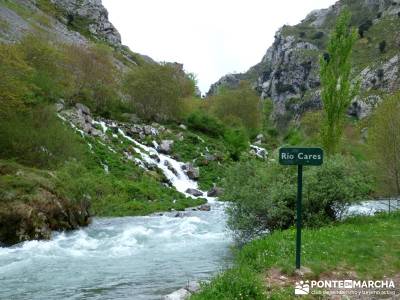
[264, 194]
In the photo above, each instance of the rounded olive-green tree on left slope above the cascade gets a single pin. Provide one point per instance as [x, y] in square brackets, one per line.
[157, 90]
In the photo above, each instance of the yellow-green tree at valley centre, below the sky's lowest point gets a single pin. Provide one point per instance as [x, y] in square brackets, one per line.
[241, 104]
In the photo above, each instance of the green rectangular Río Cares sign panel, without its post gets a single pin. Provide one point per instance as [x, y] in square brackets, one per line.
[301, 156]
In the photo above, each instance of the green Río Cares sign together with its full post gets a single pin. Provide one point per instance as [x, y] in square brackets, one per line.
[300, 157]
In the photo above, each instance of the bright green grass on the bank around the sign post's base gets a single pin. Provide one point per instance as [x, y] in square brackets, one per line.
[369, 246]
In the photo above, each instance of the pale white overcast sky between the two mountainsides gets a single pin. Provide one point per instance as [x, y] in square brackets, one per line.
[210, 37]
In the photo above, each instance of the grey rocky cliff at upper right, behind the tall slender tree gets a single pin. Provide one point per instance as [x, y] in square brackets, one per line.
[289, 72]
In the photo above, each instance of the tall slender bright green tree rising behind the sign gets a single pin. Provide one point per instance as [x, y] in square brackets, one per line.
[337, 89]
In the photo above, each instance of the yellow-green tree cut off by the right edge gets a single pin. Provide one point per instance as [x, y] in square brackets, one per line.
[384, 144]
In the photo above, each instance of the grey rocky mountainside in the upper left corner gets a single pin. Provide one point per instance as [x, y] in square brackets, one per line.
[74, 21]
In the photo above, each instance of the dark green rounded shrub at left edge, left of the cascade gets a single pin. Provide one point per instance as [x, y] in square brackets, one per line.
[36, 137]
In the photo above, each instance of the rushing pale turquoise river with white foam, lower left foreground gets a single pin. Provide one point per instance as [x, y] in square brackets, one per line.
[143, 258]
